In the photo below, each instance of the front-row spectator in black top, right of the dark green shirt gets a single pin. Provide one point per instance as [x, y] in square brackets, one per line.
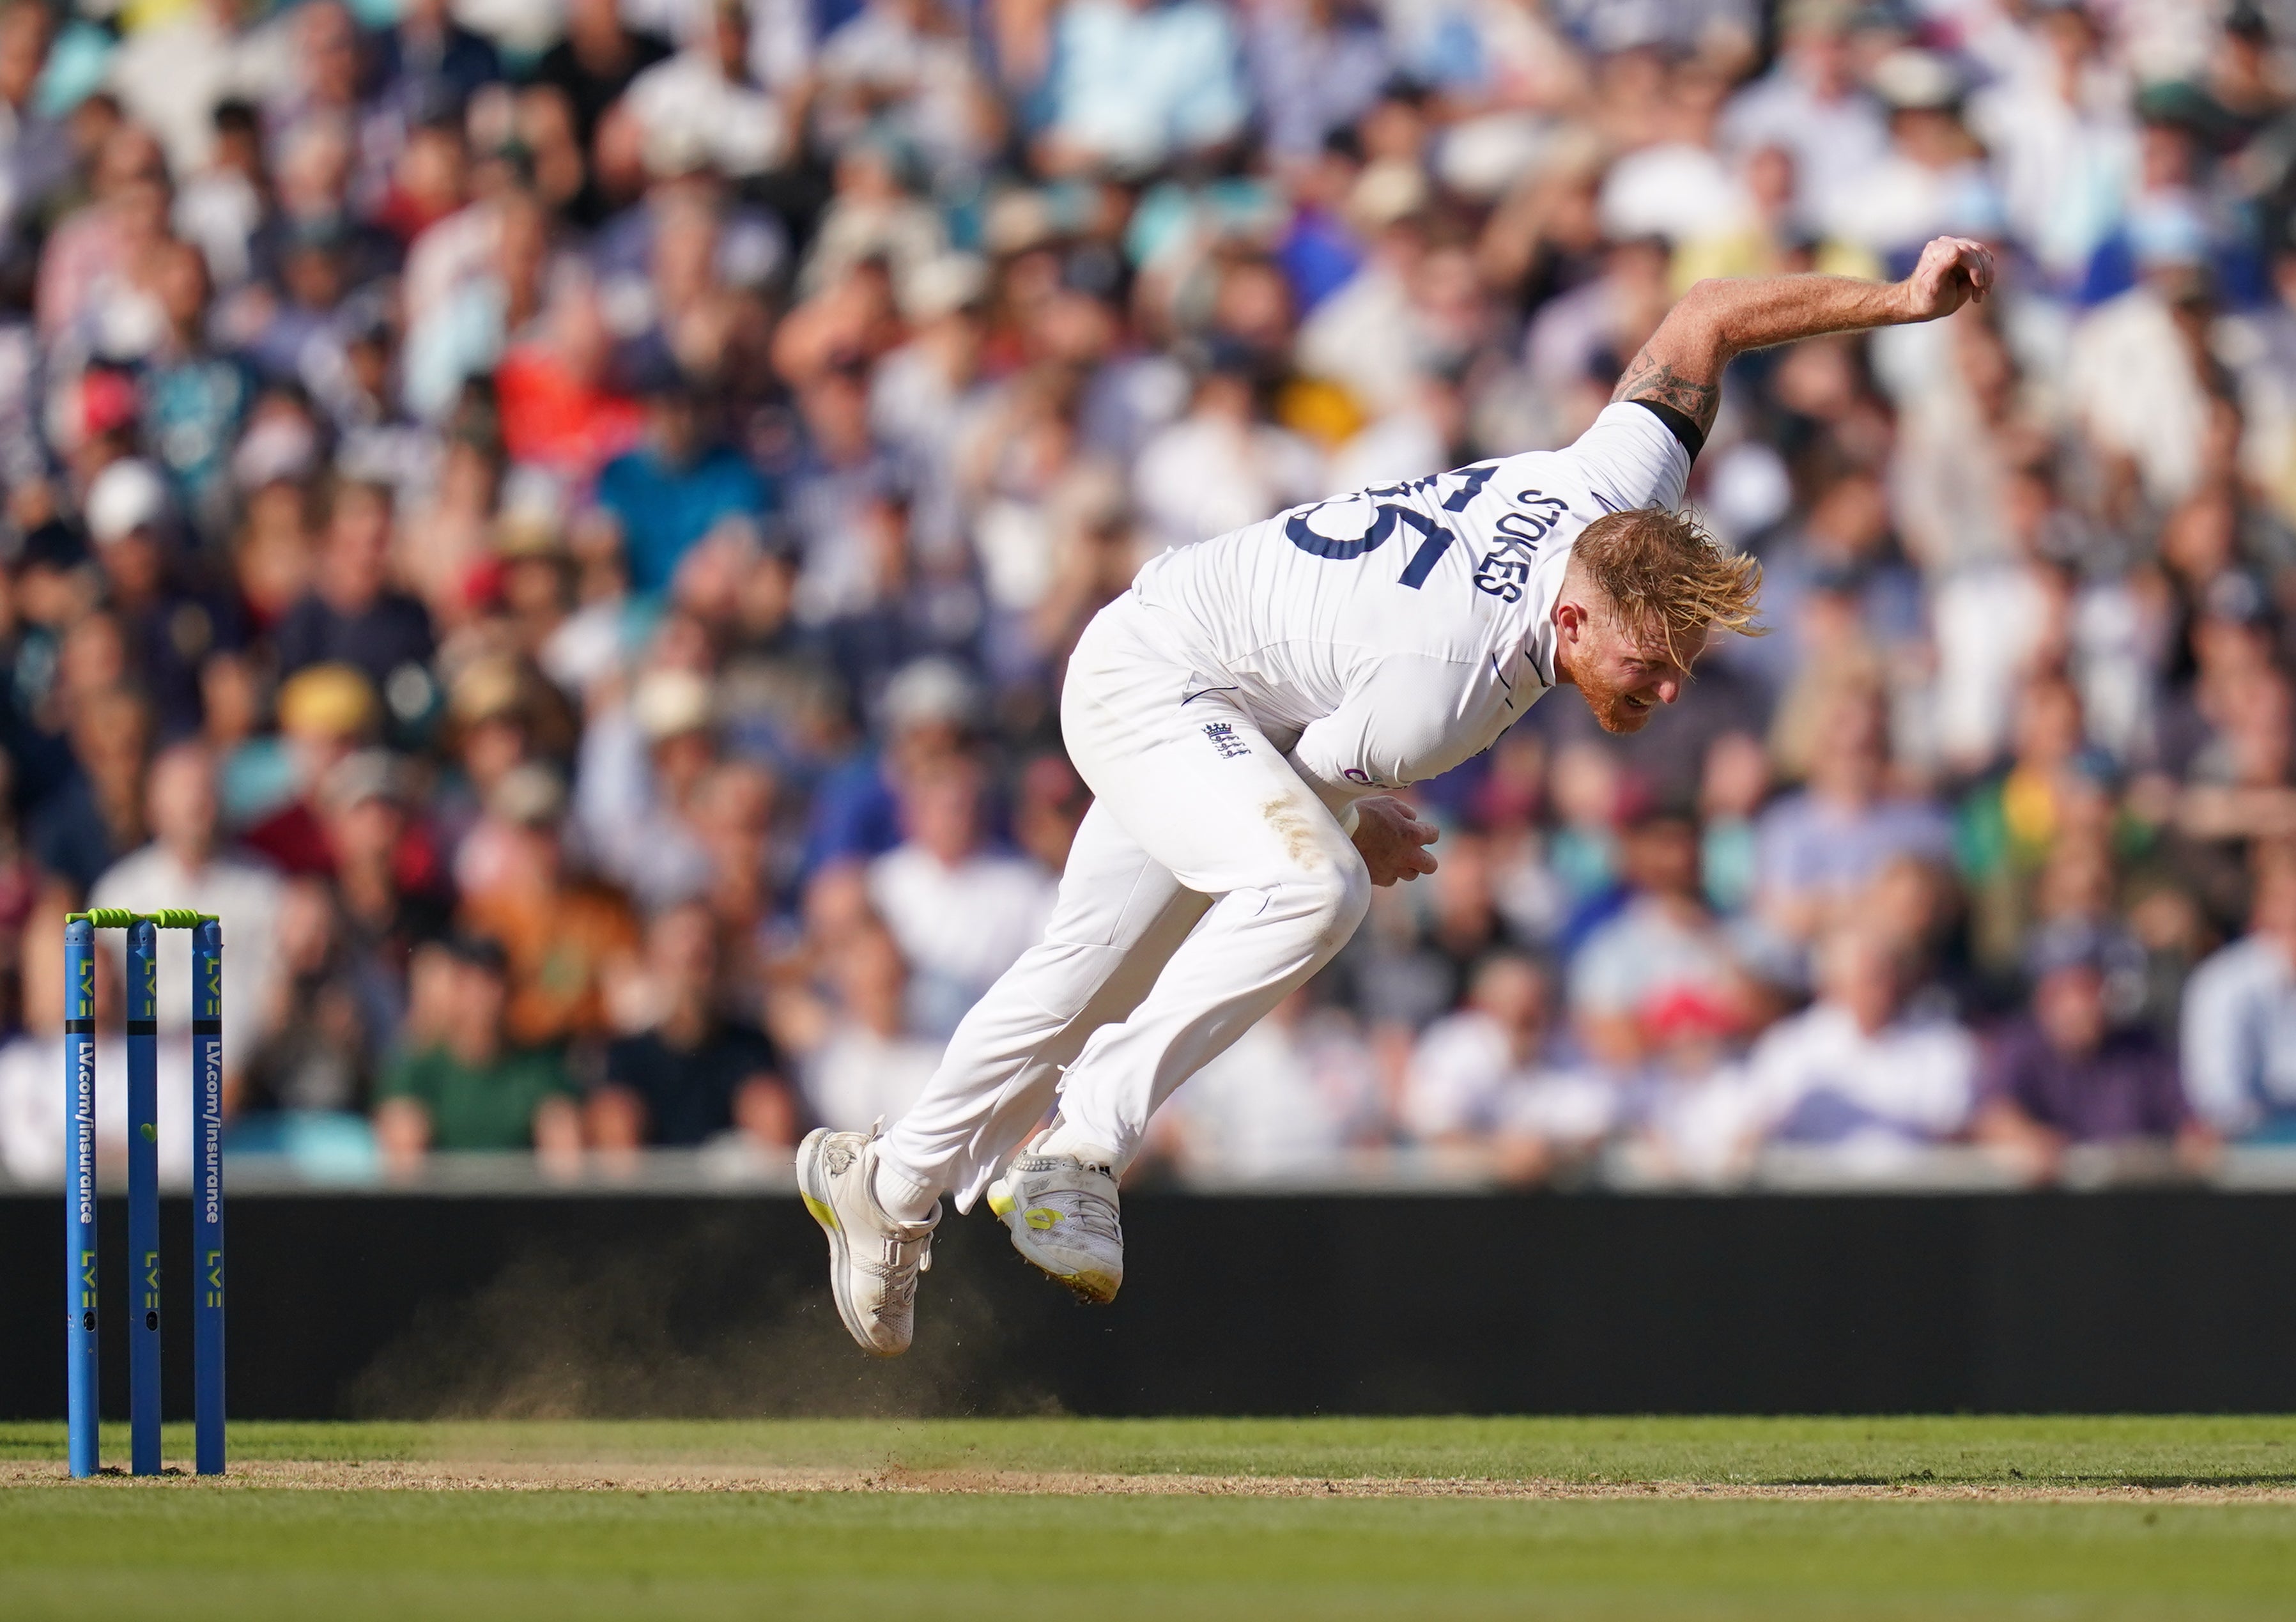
[690, 1076]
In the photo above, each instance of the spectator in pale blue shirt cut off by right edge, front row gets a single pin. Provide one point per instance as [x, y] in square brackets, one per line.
[2240, 1017]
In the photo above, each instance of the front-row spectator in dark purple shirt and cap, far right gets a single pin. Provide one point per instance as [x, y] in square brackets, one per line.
[2068, 1074]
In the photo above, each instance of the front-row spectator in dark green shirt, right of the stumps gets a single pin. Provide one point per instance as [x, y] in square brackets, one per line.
[470, 1088]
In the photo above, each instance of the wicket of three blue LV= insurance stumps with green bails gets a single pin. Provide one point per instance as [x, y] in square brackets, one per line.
[143, 1297]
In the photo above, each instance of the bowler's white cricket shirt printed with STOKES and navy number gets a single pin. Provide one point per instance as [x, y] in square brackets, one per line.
[1388, 635]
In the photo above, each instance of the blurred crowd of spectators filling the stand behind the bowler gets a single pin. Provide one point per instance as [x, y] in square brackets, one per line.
[561, 523]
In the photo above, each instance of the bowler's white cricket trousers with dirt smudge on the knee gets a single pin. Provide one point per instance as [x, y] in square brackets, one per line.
[1204, 886]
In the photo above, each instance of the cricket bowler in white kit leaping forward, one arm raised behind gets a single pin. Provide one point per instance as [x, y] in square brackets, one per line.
[1243, 718]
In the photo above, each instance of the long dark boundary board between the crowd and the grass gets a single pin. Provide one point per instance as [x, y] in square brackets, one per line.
[715, 1306]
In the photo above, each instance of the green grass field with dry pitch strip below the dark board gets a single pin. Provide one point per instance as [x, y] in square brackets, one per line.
[1650, 1520]
